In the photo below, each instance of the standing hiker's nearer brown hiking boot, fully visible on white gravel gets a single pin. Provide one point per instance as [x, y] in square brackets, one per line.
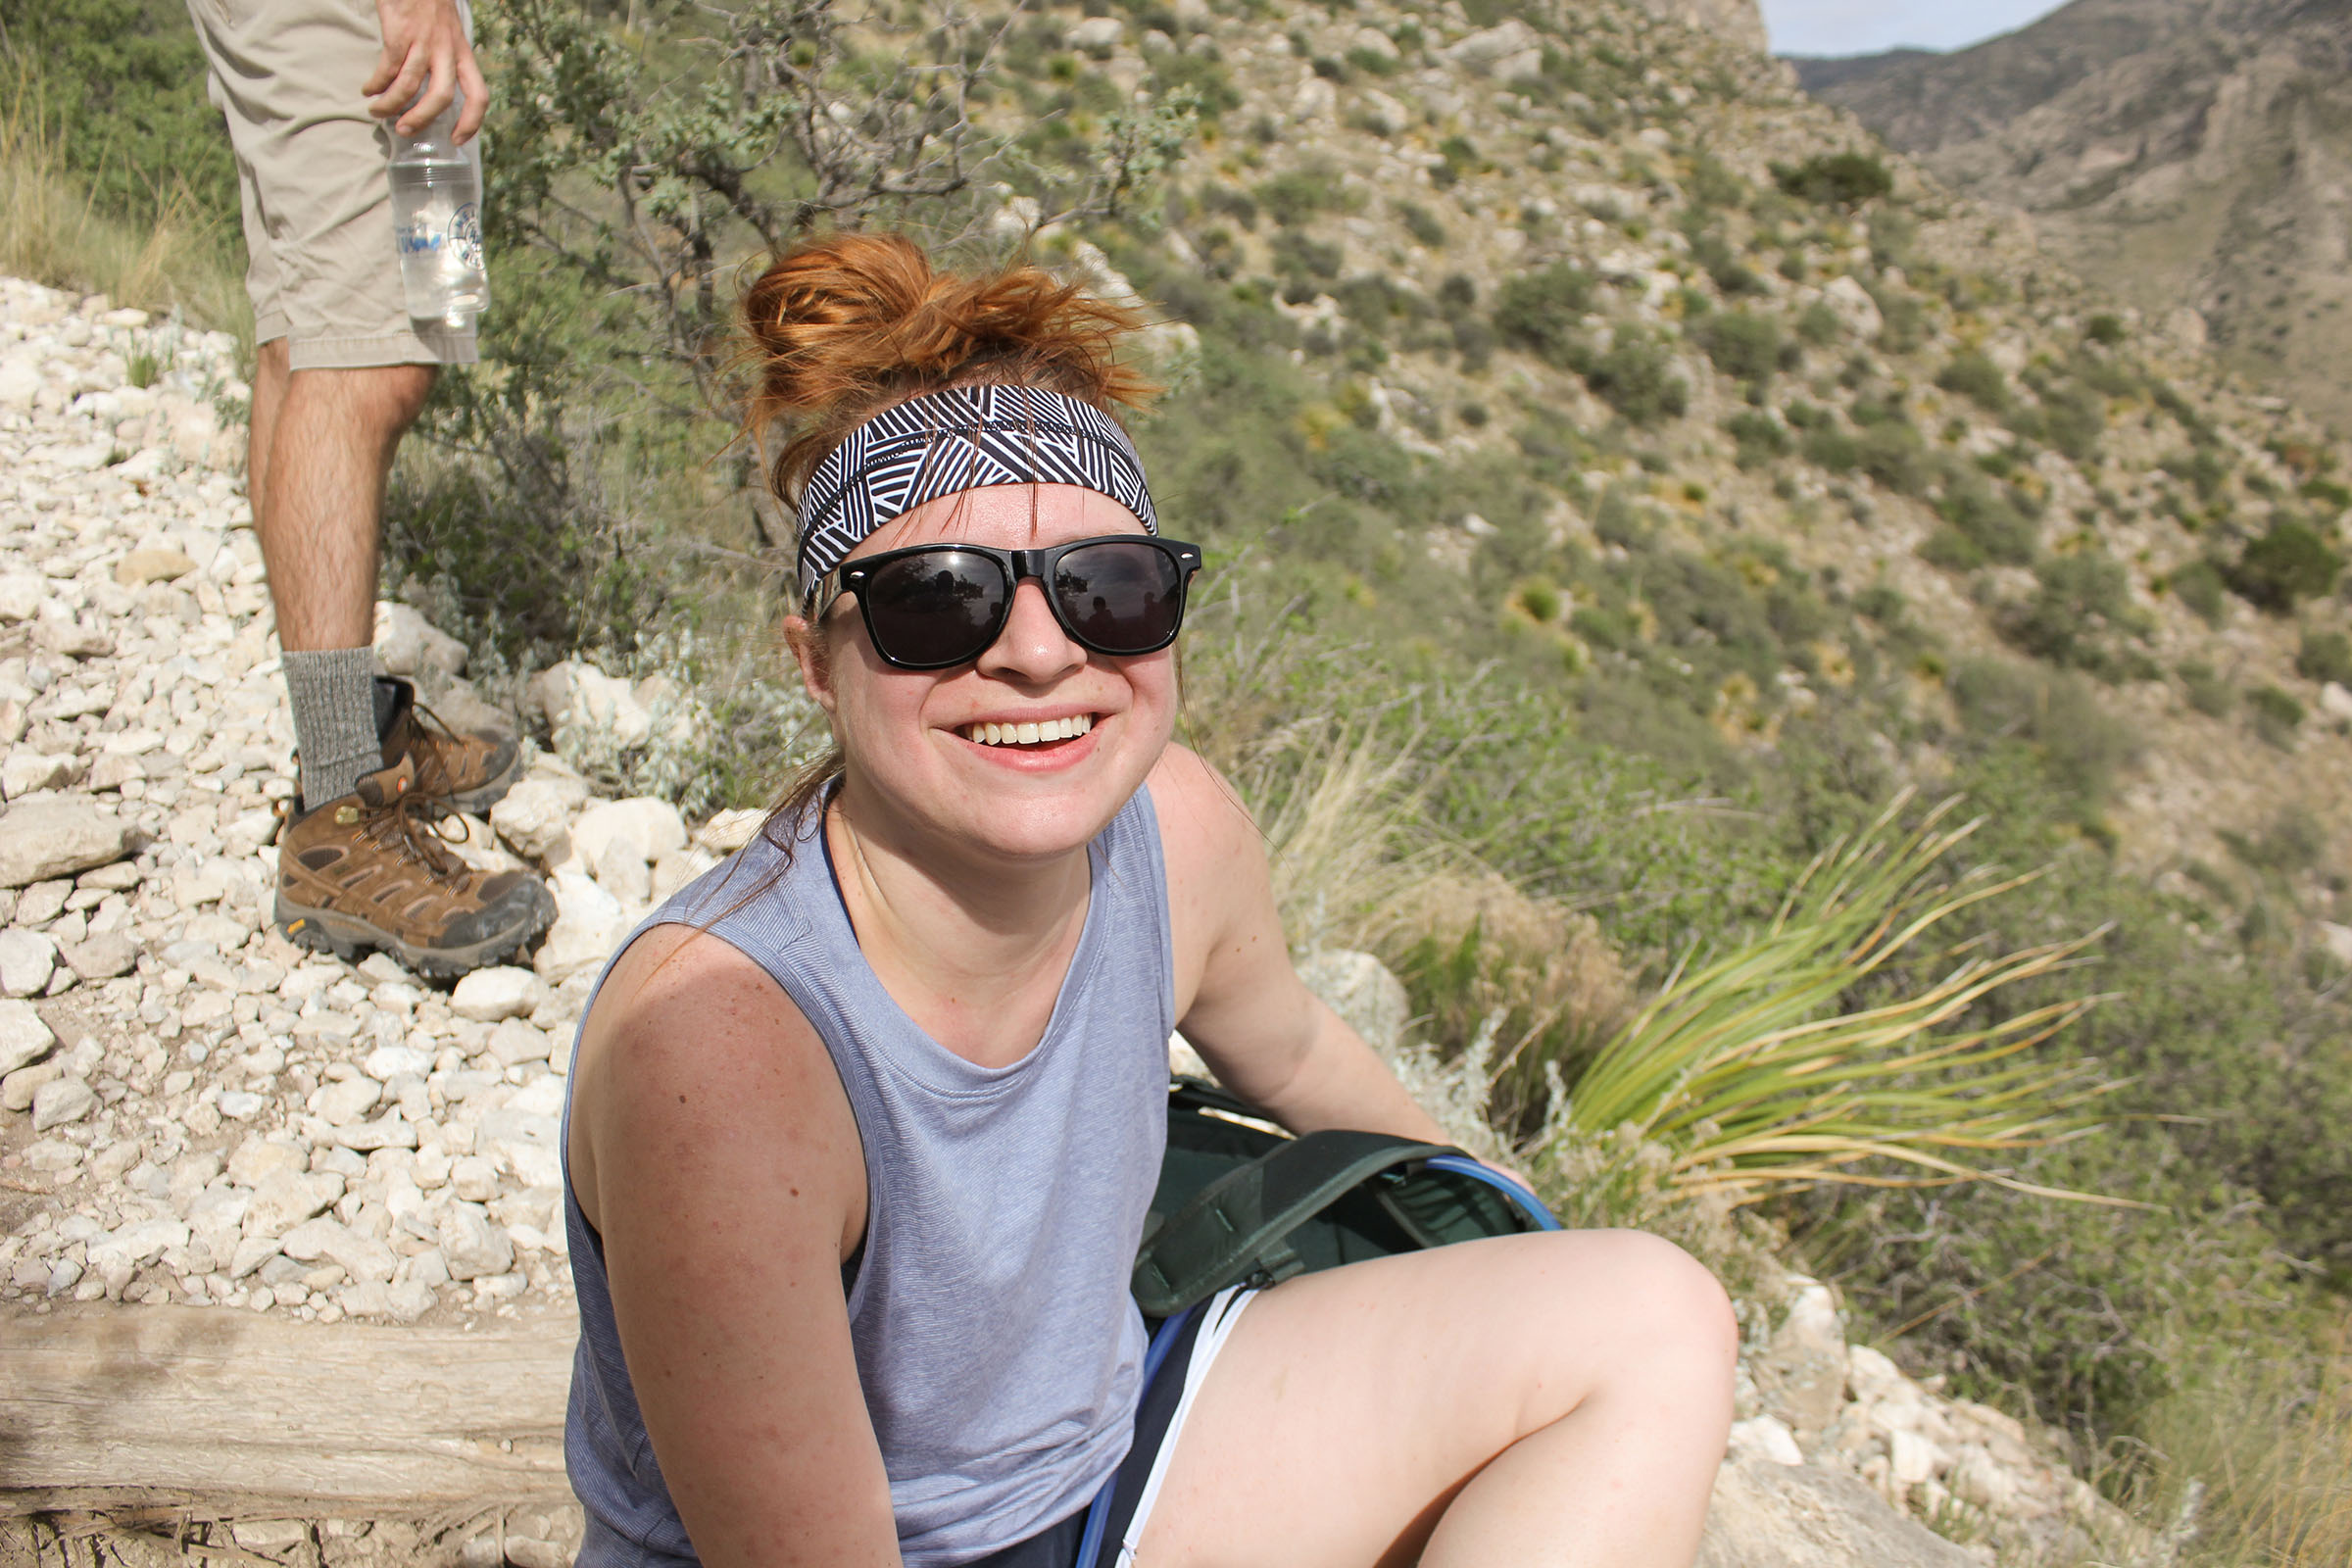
[370, 871]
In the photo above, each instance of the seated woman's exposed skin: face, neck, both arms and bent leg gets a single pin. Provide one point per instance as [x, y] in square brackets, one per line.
[1542, 1402]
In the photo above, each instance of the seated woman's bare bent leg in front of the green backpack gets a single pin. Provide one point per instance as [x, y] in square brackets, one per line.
[1544, 1402]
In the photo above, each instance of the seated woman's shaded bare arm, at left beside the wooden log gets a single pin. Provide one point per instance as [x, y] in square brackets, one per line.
[719, 1158]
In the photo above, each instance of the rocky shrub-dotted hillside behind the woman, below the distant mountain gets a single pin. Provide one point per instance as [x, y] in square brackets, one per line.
[1713, 403]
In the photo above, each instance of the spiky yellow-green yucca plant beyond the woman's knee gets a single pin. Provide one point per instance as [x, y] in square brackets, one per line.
[1756, 1078]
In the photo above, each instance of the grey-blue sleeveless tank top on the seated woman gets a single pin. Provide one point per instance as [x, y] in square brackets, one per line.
[996, 1339]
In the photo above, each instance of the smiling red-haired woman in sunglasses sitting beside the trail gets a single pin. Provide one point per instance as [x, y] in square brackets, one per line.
[864, 1125]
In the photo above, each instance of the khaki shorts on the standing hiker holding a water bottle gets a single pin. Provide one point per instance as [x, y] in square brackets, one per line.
[312, 168]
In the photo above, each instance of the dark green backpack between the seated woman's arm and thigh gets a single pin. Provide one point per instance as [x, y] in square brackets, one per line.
[1243, 1202]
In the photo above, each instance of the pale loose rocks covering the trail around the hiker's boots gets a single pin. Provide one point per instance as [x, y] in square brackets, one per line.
[194, 1108]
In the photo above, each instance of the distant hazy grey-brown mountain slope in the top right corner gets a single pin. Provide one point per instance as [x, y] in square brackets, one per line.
[2186, 154]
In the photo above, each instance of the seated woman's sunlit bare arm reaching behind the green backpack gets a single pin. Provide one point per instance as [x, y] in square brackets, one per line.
[1238, 998]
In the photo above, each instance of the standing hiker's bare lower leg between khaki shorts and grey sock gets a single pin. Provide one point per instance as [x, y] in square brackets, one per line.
[323, 450]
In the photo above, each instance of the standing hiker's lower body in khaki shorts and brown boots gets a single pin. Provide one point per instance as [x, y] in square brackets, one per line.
[342, 377]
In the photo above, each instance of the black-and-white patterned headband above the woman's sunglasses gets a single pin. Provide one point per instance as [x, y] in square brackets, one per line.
[954, 441]
